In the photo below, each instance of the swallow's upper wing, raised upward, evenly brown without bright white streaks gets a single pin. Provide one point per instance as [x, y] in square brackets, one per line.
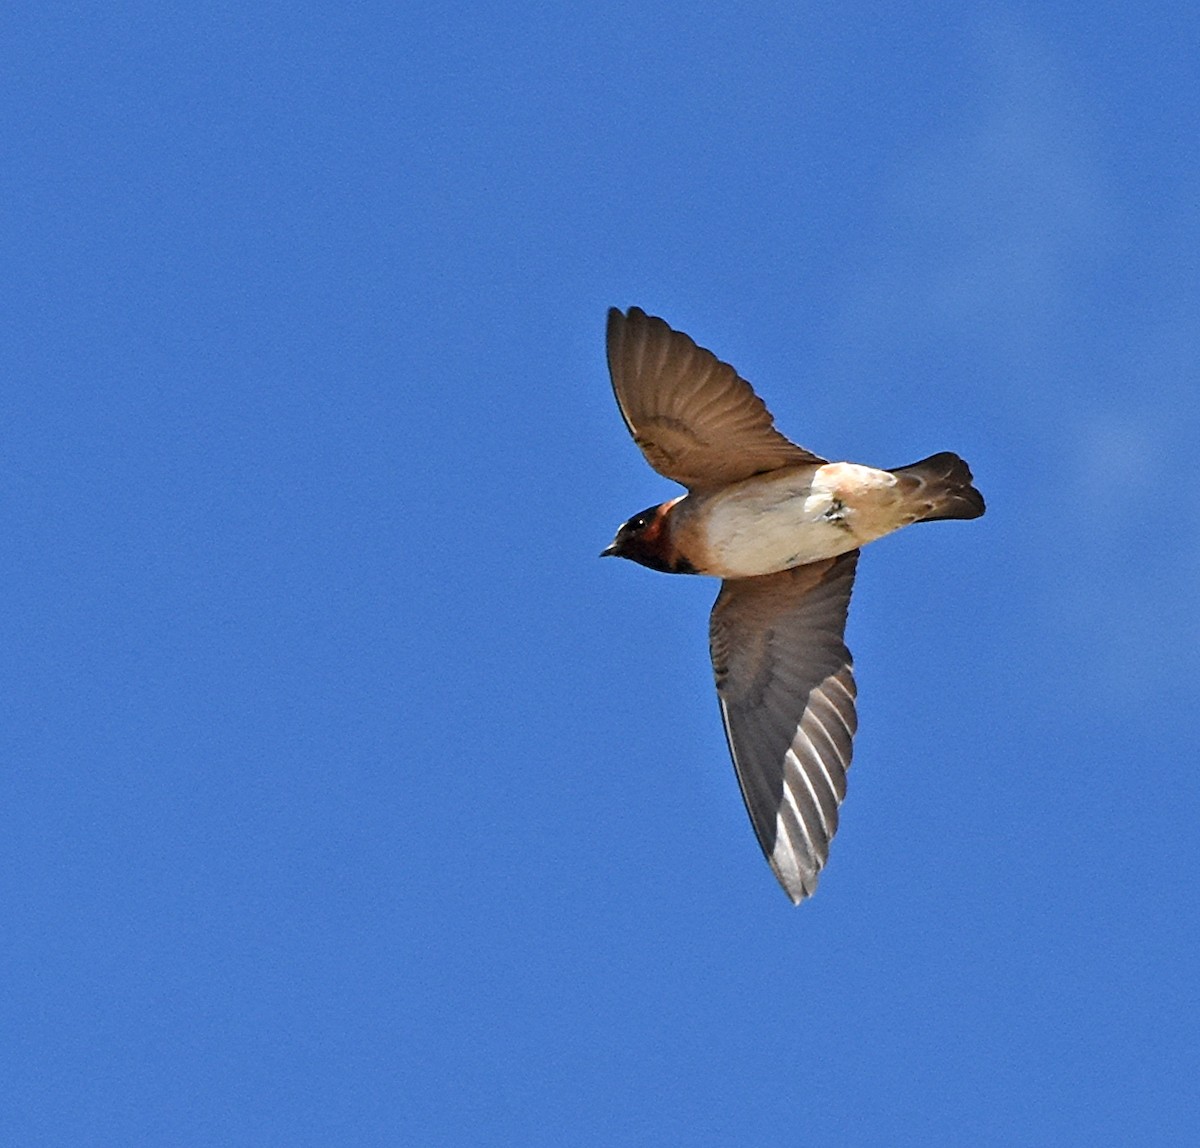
[694, 419]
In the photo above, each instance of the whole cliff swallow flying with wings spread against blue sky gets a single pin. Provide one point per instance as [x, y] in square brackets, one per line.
[782, 527]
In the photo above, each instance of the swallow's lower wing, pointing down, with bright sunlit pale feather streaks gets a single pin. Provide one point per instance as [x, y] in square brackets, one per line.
[787, 689]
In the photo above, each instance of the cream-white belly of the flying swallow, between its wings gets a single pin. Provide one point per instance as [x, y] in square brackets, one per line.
[773, 524]
